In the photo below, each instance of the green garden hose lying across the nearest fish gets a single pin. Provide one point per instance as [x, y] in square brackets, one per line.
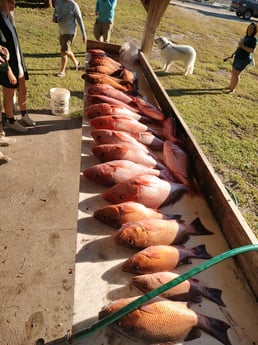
[143, 299]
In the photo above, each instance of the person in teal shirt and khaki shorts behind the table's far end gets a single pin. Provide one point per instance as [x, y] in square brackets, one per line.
[105, 12]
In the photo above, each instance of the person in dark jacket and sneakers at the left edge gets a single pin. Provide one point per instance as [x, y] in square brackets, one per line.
[14, 78]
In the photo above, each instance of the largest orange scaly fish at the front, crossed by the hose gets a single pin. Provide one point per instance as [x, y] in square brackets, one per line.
[161, 321]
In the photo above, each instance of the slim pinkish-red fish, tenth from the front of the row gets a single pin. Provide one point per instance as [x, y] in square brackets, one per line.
[120, 123]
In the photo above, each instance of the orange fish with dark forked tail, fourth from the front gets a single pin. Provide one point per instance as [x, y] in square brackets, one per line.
[151, 232]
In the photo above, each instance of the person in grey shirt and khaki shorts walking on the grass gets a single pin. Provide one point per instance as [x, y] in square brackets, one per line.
[67, 14]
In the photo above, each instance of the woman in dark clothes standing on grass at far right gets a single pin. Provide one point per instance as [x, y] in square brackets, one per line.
[243, 55]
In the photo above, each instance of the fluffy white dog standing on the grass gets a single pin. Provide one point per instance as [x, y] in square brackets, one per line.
[172, 52]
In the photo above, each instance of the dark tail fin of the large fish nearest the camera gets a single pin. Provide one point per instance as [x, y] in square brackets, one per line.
[214, 327]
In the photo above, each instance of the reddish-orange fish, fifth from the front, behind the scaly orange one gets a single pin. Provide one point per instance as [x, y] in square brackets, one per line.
[116, 215]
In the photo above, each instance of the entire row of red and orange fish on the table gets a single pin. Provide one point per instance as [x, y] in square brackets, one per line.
[145, 166]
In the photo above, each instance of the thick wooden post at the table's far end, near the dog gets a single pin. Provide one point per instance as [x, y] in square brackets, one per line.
[155, 10]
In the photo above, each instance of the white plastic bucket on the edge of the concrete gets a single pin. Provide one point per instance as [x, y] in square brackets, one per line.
[59, 101]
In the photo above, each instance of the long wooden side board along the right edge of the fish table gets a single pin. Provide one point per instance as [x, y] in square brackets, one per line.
[233, 225]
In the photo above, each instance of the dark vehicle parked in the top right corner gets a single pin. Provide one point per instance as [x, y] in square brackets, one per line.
[245, 8]
